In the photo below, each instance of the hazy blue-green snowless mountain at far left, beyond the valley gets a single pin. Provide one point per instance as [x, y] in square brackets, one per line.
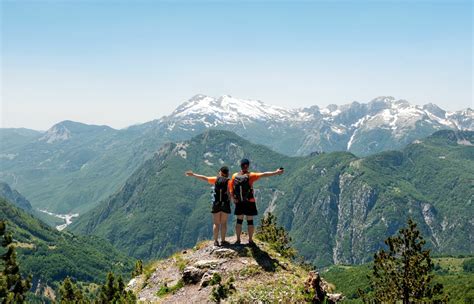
[72, 166]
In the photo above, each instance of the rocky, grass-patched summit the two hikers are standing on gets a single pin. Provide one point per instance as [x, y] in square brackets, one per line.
[233, 273]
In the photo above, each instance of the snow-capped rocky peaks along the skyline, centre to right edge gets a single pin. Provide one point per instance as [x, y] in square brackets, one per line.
[363, 128]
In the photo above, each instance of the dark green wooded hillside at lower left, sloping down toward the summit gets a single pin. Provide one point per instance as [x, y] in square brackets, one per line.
[50, 256]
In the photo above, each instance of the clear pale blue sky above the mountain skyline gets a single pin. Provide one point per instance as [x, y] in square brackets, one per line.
[124, 62]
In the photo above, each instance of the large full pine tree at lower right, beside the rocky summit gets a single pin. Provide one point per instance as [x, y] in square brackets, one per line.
[404, 272]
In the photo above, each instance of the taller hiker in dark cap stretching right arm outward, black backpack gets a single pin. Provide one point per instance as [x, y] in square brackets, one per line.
[242, 191]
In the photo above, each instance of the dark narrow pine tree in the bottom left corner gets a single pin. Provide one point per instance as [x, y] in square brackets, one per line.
[12, 287]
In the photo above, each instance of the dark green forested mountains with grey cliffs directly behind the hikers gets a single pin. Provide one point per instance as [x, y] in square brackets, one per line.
[338, 207]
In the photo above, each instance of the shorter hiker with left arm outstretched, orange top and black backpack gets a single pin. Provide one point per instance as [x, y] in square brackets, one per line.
[221, 202]
